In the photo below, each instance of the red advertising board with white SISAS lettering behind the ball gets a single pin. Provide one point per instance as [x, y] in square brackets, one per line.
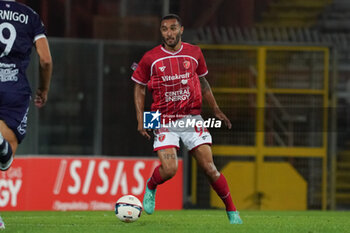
[82, 183]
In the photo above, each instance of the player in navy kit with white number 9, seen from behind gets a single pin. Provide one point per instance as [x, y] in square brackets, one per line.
[20, 29]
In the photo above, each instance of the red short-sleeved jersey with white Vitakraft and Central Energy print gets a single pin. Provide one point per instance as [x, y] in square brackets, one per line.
[173, 79]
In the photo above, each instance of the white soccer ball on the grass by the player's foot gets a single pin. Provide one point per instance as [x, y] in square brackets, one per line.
[128, 208]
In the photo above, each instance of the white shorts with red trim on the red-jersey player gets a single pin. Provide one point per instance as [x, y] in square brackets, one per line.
[169, 136]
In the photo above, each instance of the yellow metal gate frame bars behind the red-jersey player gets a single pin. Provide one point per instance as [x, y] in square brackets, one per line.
[260, 150]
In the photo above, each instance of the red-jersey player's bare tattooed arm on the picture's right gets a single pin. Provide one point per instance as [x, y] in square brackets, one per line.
[209, 97]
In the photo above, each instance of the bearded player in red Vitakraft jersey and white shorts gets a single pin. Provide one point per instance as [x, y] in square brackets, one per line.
[174, 73]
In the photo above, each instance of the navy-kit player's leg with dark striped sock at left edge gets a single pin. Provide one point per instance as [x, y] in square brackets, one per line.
[8, 146]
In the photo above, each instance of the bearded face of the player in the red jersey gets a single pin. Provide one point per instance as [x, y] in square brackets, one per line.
[171, 32]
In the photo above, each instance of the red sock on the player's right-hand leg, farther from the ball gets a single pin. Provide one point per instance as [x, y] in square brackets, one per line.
[221, 188]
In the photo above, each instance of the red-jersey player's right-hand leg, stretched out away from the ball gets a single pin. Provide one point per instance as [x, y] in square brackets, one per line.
[204, 158]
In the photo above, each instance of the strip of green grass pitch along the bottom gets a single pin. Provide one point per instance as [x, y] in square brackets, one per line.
[192, 221]
